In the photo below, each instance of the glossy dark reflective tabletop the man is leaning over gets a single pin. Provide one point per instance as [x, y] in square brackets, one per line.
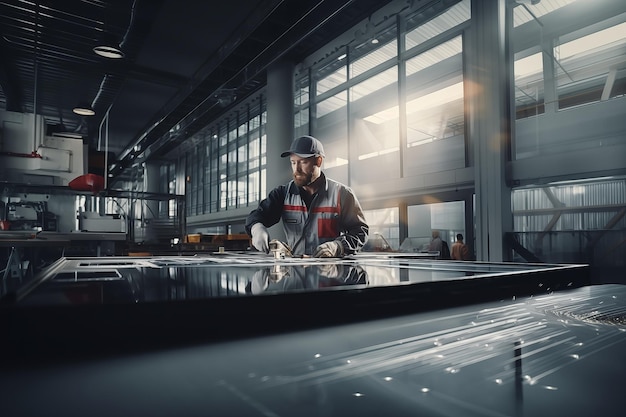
[228, 274]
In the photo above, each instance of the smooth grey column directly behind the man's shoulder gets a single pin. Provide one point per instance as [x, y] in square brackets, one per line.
[279, 127]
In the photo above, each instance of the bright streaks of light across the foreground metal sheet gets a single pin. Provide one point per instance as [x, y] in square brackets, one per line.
[476, 337]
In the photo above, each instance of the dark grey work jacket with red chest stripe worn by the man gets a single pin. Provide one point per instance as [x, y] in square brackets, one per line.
[335, 214]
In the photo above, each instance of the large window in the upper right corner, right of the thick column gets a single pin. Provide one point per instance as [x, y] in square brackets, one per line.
[570, 78]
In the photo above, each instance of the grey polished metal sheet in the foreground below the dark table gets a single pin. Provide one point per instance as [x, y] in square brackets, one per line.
[555, 354]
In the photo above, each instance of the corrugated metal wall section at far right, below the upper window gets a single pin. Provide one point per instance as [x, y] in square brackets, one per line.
[573, 222]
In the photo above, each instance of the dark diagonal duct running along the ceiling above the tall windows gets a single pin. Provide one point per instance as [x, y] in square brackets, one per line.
[245, 65]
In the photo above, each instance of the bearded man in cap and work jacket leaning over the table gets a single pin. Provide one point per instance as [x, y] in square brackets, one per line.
[321, 217]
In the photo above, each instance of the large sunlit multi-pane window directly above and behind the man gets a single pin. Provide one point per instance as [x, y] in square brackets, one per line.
[356, 101]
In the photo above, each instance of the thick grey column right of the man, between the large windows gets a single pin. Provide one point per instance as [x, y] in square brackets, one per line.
[489, 73]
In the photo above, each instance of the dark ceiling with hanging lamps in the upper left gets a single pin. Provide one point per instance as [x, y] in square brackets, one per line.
[179, 57]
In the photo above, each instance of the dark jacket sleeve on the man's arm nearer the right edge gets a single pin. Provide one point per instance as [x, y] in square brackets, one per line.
[354, 230]
